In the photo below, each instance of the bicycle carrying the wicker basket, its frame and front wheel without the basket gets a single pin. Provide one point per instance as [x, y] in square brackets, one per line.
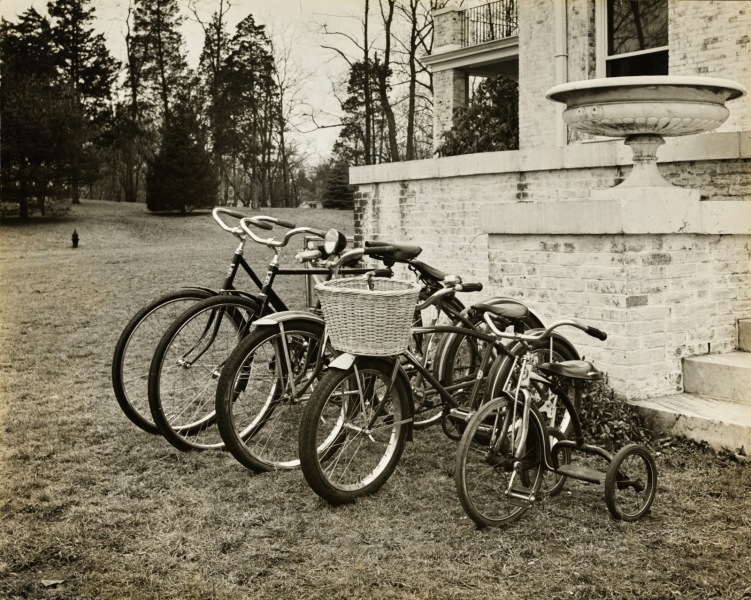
[361, 413]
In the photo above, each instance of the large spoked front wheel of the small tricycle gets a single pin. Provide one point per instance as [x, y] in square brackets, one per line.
[499, 470]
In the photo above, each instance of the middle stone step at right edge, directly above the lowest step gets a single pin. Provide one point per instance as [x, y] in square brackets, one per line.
[725, 376]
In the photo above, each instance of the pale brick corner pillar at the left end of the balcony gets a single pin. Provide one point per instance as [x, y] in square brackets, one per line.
[450, 86]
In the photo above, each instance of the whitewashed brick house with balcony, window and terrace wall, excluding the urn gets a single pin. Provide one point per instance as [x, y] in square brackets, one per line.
[662, 291]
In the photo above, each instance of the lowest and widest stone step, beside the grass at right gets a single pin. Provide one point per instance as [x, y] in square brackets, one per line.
[720, 423]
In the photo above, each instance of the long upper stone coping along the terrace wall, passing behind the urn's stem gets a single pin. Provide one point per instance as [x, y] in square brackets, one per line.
[586, 155]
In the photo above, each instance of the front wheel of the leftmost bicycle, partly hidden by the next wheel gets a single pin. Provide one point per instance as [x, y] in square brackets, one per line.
[135, 349]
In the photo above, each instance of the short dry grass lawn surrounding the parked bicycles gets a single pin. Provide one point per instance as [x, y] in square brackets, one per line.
[88, 499]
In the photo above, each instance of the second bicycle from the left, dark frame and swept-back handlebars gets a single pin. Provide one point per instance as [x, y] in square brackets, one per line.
[190, 355]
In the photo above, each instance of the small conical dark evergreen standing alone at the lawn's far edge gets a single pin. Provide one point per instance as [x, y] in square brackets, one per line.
[181, 176]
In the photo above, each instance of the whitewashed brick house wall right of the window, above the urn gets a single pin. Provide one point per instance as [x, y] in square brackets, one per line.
[712, 39]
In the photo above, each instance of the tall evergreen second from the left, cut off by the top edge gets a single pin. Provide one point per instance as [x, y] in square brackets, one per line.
[85, 65]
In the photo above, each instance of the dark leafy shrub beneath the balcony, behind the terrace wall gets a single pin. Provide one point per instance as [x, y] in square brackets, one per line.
[490, 123]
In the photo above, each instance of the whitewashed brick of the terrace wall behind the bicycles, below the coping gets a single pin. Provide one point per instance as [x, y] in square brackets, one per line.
[659, 297]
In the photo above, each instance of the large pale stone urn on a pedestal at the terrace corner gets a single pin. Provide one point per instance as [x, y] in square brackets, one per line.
[645, 110]
